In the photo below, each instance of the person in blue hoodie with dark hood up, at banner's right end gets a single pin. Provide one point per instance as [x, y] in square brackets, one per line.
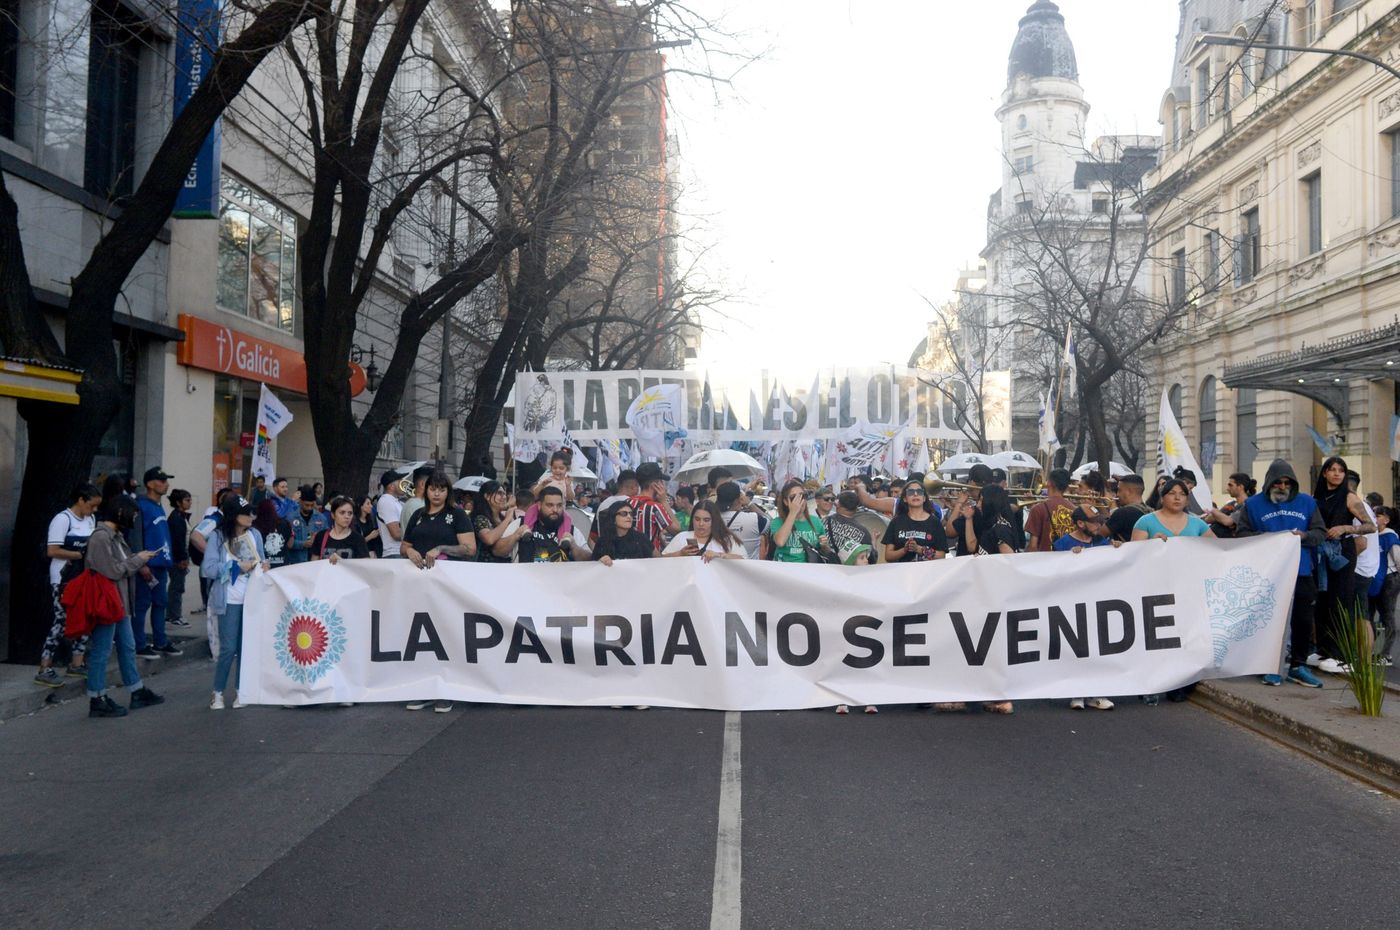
[1283, 508]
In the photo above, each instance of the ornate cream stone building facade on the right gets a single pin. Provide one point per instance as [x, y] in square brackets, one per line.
[1277, 211]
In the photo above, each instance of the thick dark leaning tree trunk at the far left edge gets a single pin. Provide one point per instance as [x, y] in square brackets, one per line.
[64, 440]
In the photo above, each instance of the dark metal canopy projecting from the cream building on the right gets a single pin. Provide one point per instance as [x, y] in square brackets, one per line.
[1324, 372]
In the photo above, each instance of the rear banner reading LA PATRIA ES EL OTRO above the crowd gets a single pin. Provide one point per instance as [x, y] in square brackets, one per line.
[764, 405]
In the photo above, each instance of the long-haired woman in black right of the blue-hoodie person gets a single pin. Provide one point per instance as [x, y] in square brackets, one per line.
[1346, 519]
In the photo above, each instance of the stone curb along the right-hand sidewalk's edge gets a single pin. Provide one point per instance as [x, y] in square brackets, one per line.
[1378, 771]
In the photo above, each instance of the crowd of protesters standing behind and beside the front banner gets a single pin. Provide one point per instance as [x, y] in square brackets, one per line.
[1349, 564]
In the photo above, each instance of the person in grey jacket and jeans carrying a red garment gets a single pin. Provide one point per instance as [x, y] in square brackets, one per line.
[113, 558]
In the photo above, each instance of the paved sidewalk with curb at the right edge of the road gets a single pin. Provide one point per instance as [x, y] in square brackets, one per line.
[1319, 723]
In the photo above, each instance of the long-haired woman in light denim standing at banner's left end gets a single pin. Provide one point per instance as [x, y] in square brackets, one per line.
[234, 551]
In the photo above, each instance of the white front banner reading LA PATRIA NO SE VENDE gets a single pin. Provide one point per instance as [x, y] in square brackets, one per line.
[757, 635]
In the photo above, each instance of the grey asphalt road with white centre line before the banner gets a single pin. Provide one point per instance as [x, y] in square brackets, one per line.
[534, 817]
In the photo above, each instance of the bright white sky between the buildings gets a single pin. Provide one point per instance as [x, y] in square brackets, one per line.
[843, 179]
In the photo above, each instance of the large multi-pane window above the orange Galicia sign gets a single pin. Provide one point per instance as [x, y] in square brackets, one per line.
[257, 258]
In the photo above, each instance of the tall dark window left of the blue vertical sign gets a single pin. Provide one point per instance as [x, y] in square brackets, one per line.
[114, 82]
